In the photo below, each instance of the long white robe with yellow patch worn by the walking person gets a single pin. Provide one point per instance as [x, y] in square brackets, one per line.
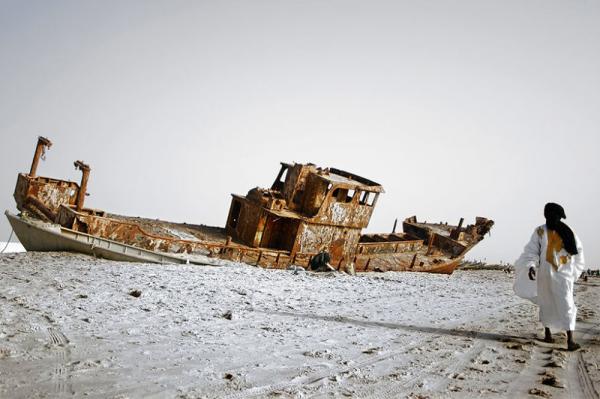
[556, 273]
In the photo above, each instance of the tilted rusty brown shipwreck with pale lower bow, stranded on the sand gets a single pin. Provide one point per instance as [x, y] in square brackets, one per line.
[306, 211]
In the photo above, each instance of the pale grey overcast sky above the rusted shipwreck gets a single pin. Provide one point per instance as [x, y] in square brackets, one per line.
[458, 108]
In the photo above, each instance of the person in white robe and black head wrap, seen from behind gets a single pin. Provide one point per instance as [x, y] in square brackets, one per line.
[554, 254]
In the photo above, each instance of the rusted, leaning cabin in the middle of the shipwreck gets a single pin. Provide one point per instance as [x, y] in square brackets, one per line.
[307, 210]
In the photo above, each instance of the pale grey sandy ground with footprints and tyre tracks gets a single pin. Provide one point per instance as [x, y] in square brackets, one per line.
[69, 327]
